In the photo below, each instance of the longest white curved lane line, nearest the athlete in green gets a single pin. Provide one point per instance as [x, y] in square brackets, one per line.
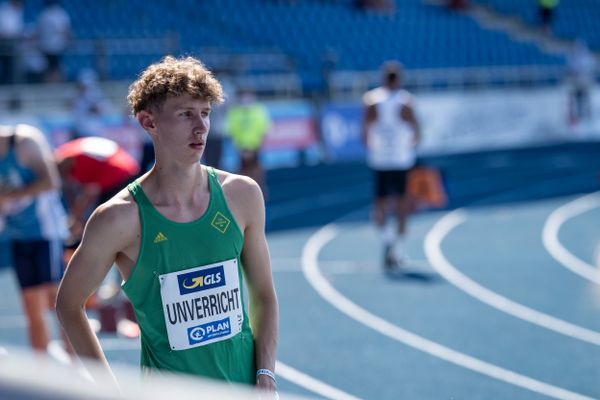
[316, 279]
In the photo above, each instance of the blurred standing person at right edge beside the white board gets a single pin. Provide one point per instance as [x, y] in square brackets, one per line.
[581, 74]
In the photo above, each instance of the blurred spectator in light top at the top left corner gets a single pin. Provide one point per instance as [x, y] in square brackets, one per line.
[12, 26]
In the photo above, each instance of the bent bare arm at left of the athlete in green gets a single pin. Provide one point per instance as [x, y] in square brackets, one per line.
[106, 233]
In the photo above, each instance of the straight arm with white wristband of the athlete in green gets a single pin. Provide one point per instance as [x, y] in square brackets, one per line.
[264, 309]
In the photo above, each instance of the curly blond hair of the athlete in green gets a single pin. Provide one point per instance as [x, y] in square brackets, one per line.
[173, 77]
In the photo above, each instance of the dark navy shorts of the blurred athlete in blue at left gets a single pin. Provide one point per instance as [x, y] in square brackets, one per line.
[37, 262]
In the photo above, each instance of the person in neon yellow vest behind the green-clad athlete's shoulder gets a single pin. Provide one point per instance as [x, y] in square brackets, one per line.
[247, 124]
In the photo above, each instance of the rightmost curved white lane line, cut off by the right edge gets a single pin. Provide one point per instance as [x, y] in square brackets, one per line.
[556, 249]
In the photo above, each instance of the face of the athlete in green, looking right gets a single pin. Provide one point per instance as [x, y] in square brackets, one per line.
[181, 127]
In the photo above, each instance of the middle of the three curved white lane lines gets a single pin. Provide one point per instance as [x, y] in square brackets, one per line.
[434, 253]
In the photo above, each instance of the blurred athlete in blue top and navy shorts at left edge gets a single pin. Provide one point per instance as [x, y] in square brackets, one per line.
[34, 220]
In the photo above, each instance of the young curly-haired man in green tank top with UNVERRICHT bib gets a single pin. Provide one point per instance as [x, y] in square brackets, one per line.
[184, 237]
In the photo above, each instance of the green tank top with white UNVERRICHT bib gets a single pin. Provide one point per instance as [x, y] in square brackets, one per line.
[187, 292]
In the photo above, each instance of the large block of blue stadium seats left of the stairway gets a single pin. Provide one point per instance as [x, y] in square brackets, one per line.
[259, 37]
